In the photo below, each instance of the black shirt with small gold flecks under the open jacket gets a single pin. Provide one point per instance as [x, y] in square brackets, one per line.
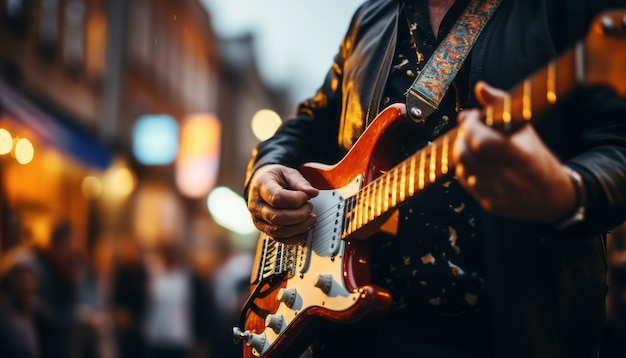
[434, 265]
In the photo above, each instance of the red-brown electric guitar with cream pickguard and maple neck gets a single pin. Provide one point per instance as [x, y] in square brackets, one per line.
[296, 289]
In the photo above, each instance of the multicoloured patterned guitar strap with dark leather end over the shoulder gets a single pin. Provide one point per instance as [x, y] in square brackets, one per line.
[432, 83]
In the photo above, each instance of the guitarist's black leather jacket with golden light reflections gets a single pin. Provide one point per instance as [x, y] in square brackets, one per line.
[546, 288]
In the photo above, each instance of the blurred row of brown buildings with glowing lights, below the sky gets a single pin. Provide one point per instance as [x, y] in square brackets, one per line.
[76, 79]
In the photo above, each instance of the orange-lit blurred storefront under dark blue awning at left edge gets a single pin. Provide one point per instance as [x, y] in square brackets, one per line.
[45, 161]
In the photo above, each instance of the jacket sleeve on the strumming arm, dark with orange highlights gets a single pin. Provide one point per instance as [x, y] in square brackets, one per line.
[312, 134]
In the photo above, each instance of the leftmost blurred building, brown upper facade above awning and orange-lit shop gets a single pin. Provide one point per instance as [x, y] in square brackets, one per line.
[52, 74]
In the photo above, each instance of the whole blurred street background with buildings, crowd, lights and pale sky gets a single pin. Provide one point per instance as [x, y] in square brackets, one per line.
[125, 130]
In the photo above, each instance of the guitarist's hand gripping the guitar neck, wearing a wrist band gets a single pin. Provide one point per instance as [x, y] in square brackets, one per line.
[515, 176]
